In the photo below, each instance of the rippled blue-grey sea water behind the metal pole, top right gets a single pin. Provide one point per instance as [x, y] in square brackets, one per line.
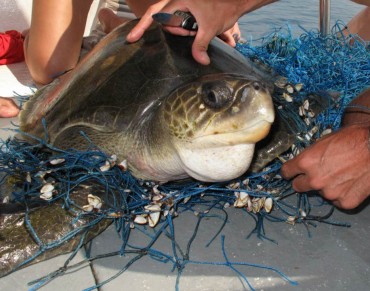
[296, 13]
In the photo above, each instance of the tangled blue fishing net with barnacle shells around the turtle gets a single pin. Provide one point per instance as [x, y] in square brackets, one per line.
[335, 67]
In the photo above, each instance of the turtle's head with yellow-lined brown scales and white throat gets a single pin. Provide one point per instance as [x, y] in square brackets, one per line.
[214, 123]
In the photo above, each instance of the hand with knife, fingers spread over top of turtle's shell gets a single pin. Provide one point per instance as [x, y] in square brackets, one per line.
[213, 17]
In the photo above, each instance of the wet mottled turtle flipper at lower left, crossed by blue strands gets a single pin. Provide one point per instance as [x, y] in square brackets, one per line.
[45, 232]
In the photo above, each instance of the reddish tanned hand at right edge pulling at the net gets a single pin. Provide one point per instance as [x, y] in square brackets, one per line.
[338, 166]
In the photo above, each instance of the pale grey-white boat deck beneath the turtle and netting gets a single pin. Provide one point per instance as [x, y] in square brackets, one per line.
[334, 258]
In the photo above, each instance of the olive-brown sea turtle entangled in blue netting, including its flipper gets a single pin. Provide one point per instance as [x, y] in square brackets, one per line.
[149, 103]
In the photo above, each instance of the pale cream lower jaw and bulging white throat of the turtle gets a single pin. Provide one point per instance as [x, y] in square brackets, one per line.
[221, 157]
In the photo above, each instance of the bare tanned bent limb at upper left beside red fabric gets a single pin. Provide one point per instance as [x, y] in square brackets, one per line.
[54, 40]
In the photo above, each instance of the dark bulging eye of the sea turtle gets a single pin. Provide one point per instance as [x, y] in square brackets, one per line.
[216, 95]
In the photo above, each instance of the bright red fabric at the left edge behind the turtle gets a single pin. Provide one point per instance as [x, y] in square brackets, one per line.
[11, 47]
